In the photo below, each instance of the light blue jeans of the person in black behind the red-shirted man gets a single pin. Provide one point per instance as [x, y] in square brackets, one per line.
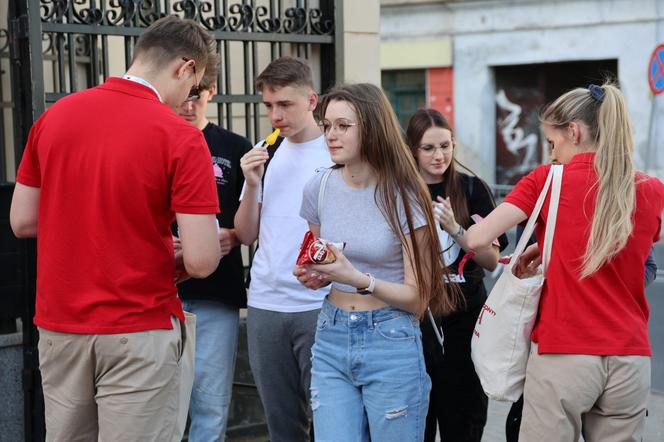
[217, 327]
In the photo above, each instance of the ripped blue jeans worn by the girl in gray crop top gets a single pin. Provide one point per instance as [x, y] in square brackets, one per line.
[368, 379]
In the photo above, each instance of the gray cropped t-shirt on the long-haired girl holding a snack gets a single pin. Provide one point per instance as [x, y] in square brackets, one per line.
[351, 215]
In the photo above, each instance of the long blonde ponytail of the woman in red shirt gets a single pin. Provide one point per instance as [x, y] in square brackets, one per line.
[604, 111]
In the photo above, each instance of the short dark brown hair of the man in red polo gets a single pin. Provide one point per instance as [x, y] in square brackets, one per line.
[173, 37]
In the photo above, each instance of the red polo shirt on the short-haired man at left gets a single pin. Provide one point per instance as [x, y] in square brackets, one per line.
[113, 164]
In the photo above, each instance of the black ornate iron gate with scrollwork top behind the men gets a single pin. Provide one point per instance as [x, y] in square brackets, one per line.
[56, 47]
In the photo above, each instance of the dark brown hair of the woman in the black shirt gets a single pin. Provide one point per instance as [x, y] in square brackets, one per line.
[421, 121]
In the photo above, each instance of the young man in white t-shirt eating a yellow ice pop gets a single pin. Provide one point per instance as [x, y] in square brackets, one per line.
[282, 314]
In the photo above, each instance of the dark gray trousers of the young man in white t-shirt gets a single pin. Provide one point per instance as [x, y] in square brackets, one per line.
[280, 358]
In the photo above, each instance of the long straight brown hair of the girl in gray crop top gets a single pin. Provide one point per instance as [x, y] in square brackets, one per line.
[398, 181]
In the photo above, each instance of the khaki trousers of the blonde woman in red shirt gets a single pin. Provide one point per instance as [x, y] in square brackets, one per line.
[608, 395]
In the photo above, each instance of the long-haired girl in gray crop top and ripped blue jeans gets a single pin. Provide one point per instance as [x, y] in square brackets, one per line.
[368, 374]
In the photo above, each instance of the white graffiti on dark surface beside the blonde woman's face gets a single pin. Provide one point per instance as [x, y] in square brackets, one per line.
[517, 137]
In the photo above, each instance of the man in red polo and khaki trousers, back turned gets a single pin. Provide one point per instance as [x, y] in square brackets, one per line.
[104, 173]
